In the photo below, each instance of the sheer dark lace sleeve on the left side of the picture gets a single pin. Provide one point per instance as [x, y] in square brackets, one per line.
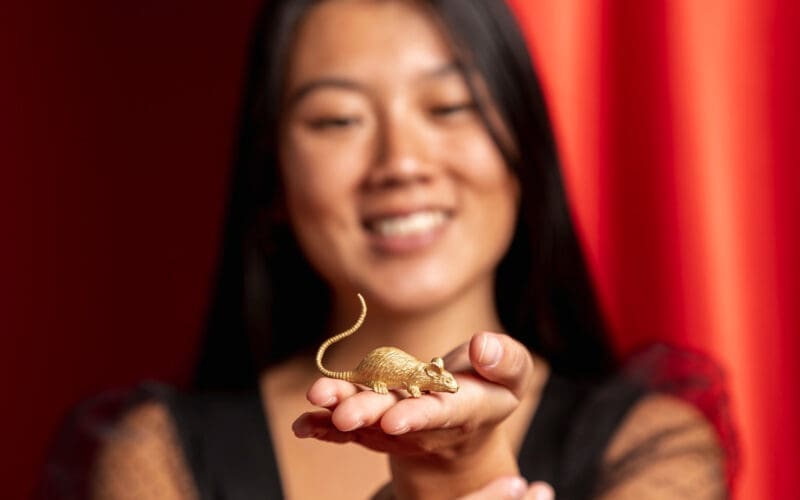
[119, 444]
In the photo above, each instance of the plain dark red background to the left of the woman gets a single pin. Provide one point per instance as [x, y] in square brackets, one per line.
[118, 119]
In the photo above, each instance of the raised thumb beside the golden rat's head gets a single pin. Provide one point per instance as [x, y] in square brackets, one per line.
[504, 360]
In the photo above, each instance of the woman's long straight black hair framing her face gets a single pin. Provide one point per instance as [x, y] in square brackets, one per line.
[268, 303]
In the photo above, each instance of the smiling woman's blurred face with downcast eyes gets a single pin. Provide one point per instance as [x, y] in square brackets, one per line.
[393, 185]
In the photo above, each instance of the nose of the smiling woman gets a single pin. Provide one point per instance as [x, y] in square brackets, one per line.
[401, 156]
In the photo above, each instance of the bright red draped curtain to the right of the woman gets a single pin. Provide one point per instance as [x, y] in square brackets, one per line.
[677, 125]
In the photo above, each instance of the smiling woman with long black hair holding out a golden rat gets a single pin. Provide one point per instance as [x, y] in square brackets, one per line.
[401, 149]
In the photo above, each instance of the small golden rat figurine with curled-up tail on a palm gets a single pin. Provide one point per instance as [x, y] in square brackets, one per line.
[387, 368]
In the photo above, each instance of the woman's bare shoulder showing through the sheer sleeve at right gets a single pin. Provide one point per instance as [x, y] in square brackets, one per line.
[663, 448]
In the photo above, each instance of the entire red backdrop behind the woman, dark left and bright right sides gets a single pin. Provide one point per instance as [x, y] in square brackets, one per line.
[676, 122]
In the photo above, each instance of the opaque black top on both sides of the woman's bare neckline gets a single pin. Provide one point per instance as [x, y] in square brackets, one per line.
[563, 446]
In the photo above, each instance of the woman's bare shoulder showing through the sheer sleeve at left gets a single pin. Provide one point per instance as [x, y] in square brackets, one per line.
[141, 457]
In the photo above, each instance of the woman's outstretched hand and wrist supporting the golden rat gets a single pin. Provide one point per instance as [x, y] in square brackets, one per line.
[441, 443]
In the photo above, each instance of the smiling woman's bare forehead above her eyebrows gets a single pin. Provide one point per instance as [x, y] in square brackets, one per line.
[390, 40]
